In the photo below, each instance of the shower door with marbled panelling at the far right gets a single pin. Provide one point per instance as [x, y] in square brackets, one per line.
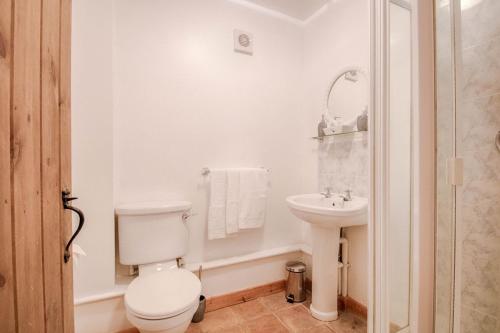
[467, 278]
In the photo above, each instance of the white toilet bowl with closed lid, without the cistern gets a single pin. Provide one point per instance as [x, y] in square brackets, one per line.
[163, 301]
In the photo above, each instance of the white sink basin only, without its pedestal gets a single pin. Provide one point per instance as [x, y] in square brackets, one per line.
[328, 212]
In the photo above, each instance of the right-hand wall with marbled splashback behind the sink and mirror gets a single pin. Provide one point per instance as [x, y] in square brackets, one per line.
[334, 41]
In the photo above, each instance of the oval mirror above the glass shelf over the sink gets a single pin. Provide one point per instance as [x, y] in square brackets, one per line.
[347, 98]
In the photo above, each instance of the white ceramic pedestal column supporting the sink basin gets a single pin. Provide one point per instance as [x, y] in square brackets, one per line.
[325, 251]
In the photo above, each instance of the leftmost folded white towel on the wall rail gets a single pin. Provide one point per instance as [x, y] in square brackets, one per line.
[217, 206]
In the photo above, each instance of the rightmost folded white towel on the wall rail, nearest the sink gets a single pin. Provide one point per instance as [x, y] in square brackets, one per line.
[253, 198]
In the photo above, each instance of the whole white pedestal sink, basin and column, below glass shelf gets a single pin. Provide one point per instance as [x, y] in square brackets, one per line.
[326, 219]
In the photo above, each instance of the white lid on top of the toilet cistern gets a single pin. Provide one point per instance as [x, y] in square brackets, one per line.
[152, 207]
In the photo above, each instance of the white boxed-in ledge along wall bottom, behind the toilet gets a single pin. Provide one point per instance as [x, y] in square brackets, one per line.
[106, 313]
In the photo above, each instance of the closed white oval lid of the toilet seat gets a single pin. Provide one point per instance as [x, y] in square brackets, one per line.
[163, 294]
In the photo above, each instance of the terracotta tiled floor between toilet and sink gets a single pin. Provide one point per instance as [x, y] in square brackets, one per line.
[273, 314]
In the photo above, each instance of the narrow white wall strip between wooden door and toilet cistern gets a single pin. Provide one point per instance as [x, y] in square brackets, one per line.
[92, 143]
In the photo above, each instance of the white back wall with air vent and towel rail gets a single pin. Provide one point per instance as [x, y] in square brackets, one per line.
[185, 100]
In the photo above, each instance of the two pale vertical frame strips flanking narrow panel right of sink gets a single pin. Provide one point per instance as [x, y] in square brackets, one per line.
[421, 316]
